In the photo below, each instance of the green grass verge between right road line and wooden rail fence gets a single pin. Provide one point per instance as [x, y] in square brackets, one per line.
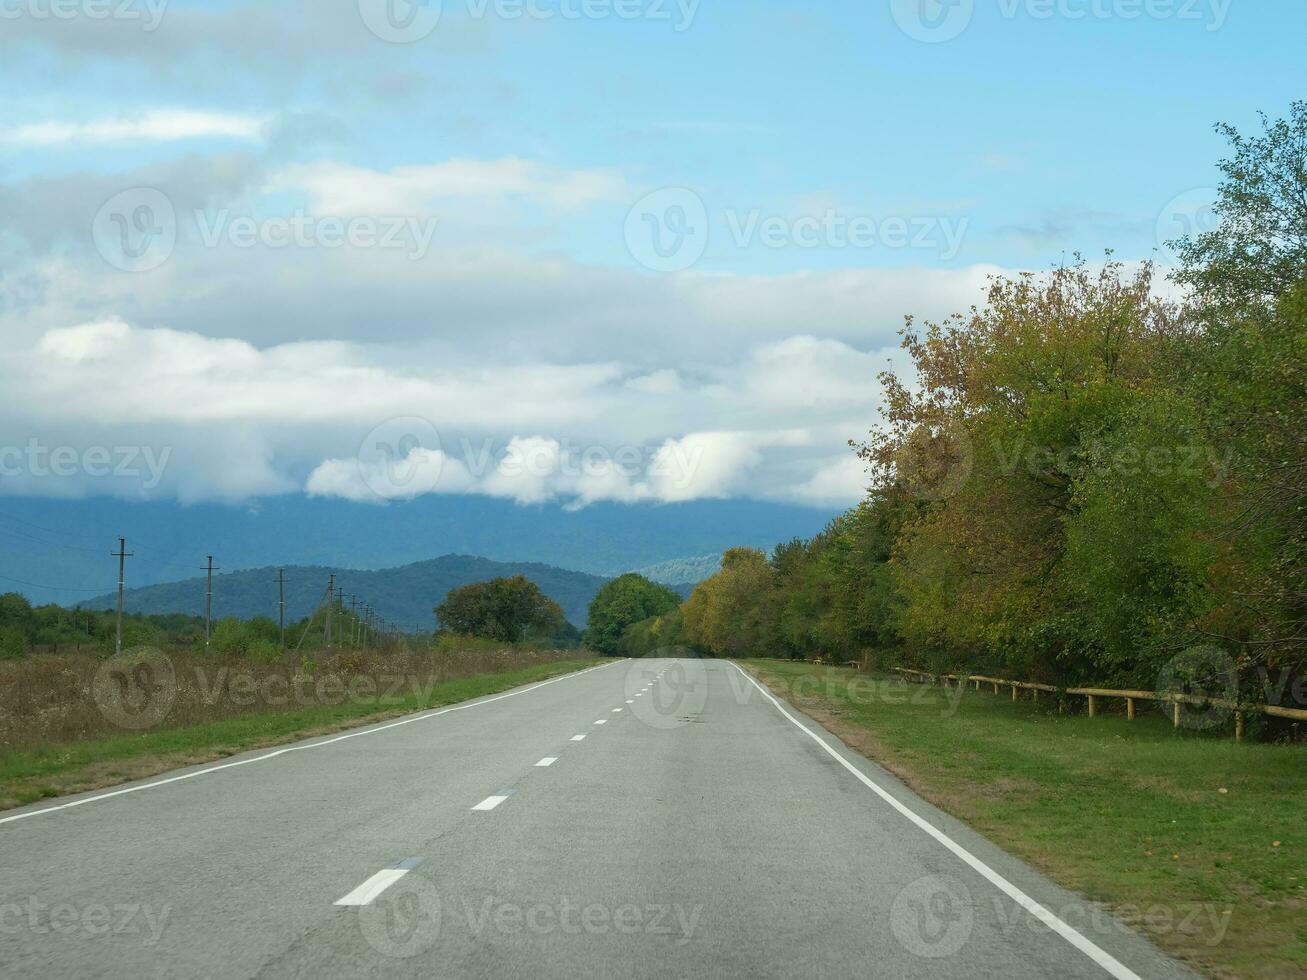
[1195, 841]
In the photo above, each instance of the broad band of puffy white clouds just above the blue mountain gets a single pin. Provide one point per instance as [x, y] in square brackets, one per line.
[245, 421]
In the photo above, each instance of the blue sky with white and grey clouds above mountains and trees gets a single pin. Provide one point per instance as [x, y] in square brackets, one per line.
[559, 252]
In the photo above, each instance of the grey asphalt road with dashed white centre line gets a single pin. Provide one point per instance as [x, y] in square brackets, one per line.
[645, 819]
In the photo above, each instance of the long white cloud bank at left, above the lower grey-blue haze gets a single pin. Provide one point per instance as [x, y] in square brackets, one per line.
[112, 372]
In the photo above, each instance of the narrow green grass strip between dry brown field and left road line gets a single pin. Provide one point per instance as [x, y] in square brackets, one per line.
[31, 774]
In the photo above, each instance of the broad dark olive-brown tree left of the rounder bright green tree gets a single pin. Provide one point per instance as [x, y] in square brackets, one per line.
[509, 611]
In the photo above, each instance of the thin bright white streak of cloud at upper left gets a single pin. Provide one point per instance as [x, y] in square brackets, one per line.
[156, 126]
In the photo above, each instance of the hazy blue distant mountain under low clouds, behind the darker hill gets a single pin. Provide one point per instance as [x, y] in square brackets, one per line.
[59, 551]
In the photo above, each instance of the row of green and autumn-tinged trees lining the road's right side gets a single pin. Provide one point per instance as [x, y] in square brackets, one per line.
[1082, 480]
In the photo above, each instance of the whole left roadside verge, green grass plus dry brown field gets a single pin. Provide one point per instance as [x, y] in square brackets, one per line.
[57, 740]
